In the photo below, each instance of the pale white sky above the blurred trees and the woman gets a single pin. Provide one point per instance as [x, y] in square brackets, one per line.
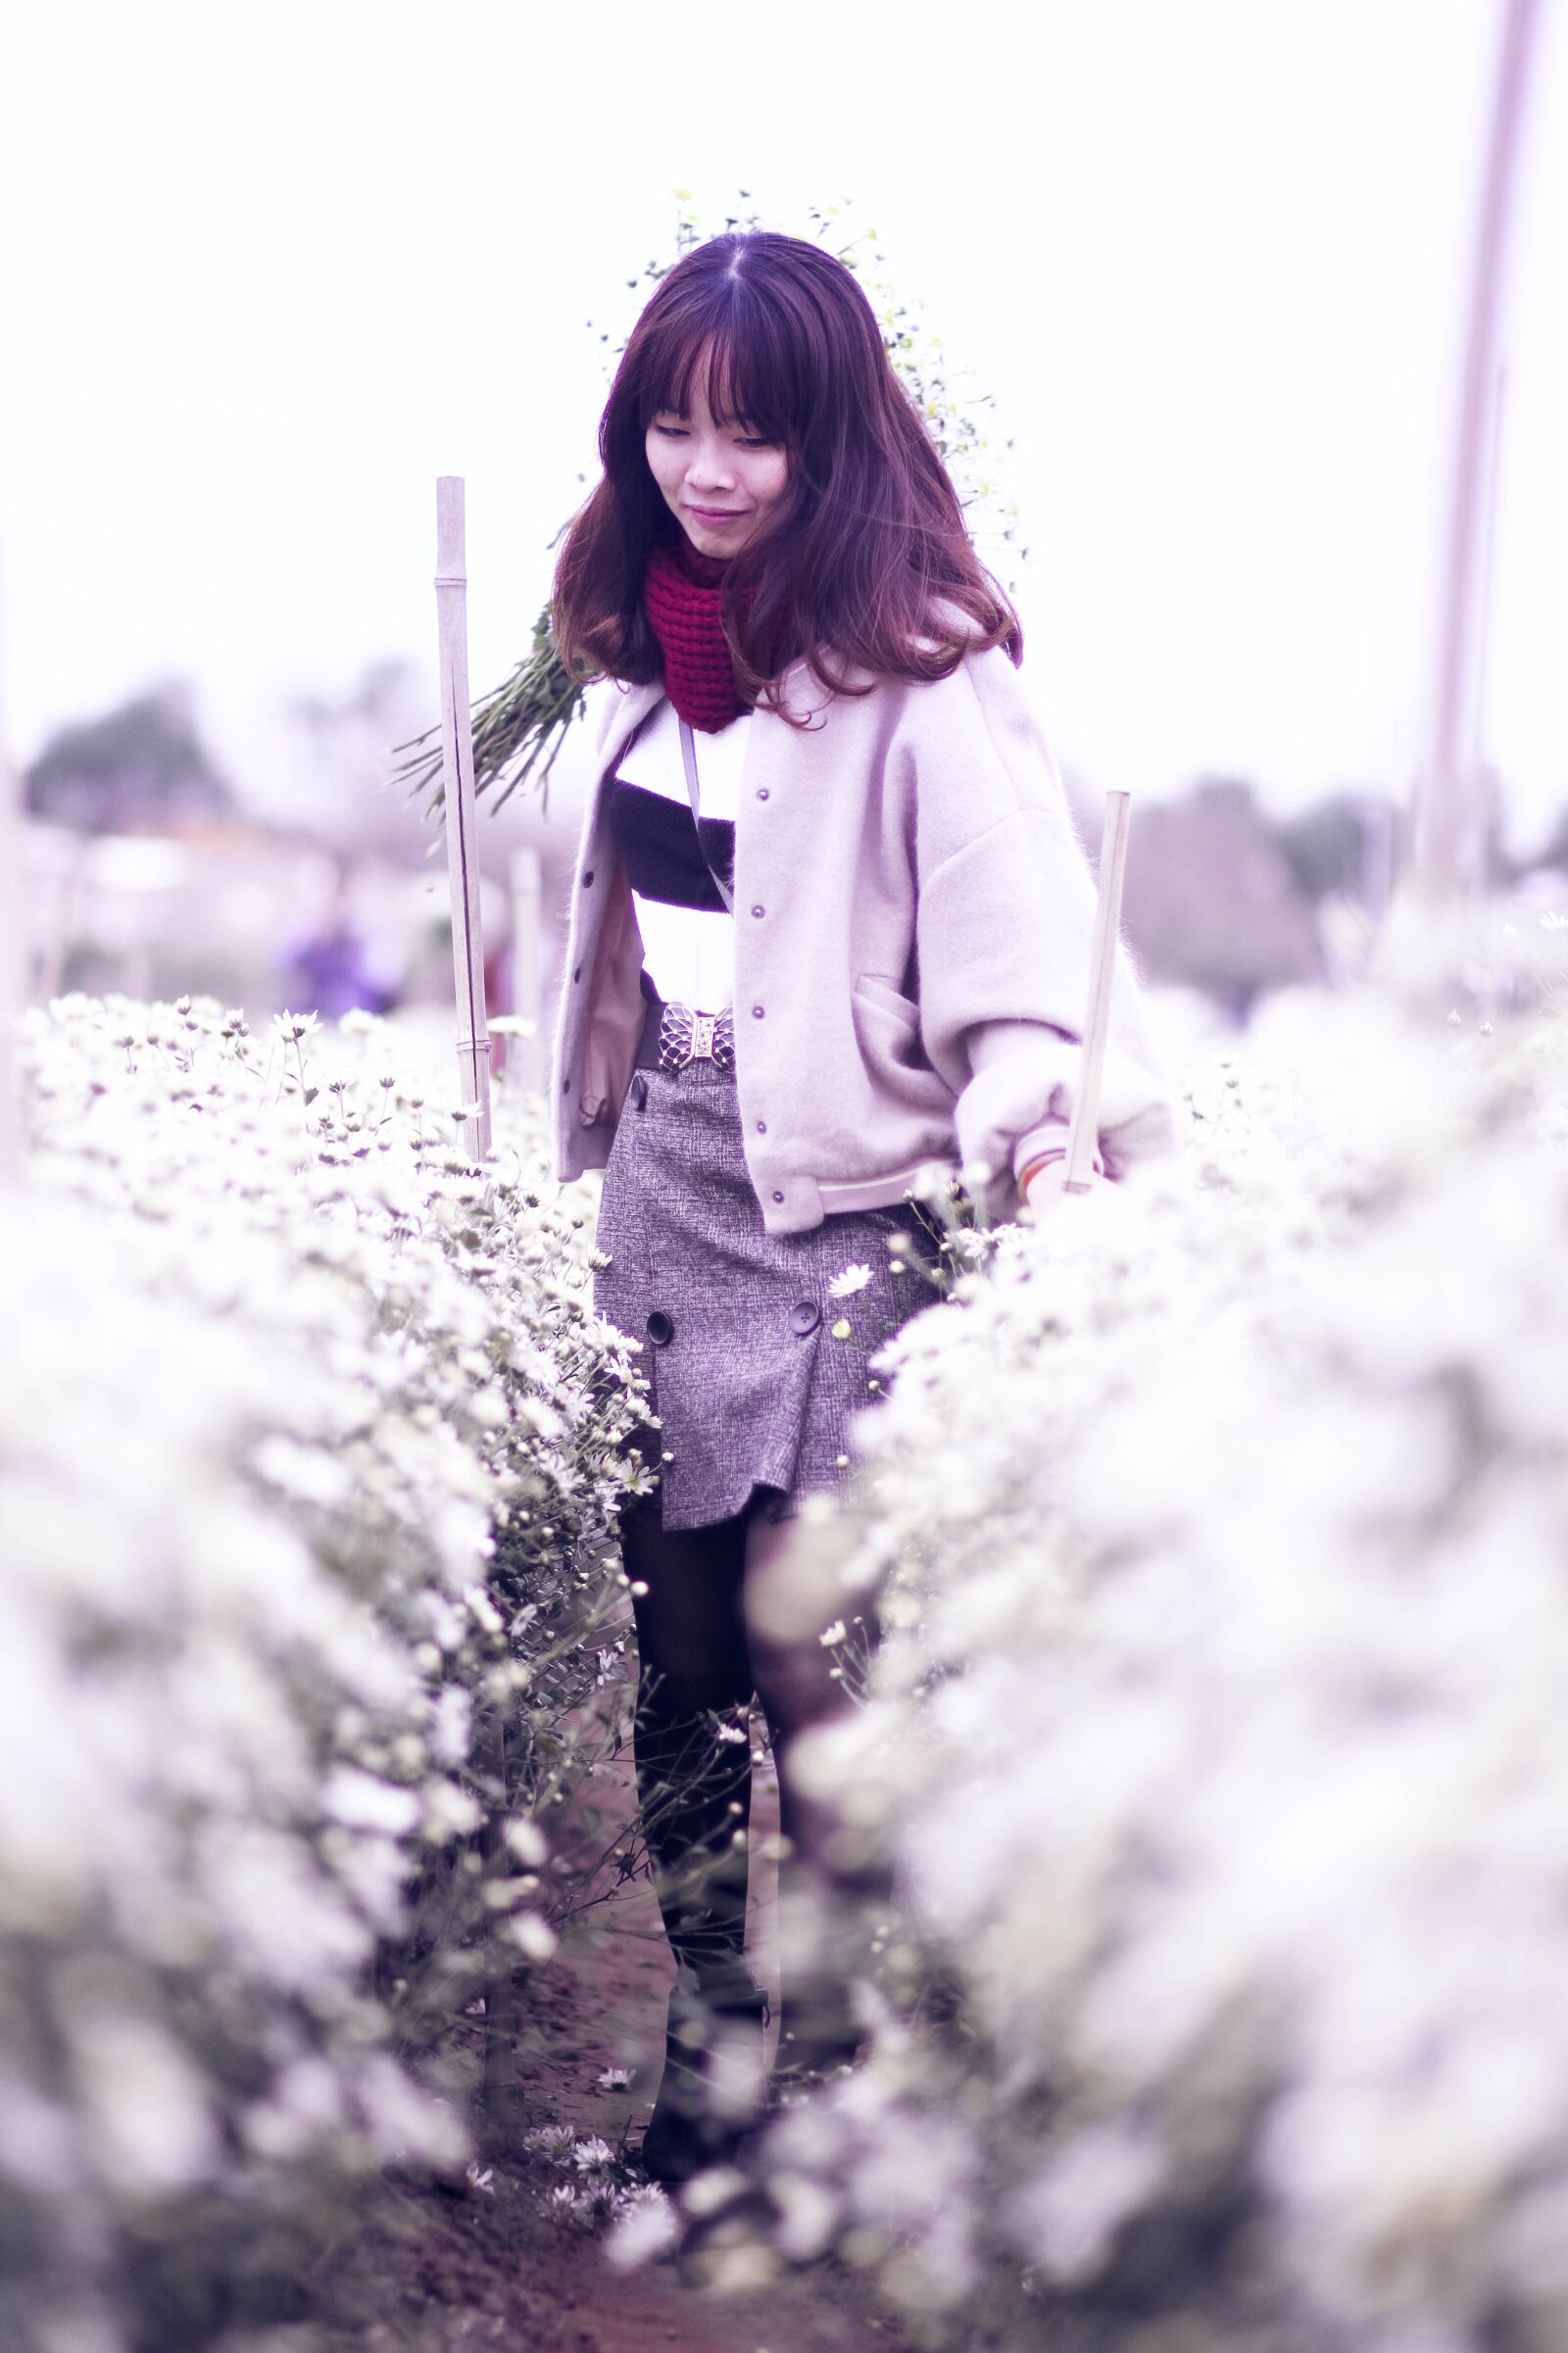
[272, 269]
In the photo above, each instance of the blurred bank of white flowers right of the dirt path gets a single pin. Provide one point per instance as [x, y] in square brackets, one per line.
[1218, 1740]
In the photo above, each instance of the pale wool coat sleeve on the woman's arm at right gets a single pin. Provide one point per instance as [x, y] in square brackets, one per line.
[1004, 933]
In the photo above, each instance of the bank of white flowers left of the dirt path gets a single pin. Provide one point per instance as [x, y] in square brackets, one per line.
[307, 1467]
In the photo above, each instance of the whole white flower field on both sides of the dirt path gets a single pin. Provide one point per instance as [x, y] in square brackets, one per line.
[1214, 1747]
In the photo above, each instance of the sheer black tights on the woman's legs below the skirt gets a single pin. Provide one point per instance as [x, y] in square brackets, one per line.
[703, 1660]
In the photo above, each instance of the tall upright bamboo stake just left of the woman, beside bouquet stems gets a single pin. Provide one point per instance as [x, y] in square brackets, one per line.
[458, 789]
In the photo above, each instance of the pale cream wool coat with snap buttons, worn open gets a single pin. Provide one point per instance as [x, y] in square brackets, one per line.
[912, 945]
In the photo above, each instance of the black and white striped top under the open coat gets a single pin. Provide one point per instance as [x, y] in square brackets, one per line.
[689, 933]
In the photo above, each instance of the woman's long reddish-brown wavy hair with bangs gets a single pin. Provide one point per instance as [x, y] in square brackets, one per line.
[868, 540]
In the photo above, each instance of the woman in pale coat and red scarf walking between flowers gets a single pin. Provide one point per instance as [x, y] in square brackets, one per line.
[830, 926]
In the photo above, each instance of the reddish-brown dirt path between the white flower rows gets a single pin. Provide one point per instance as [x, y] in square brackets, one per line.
[453, 2274]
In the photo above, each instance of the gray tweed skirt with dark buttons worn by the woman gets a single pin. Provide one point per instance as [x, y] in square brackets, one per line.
[755, 1366]
